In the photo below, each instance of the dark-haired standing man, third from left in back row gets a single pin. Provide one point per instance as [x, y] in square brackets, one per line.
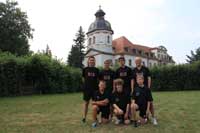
[125, 73]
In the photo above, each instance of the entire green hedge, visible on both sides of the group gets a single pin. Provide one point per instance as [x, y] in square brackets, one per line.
[41, 74]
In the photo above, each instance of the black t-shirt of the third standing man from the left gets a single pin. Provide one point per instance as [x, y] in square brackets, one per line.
[125, 73]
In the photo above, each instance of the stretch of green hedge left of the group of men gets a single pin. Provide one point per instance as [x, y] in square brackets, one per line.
[36, 74]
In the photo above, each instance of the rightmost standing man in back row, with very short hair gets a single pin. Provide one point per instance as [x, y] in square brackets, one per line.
[141, 70]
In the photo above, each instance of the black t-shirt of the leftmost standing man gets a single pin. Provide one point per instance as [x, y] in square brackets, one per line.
[90, 75]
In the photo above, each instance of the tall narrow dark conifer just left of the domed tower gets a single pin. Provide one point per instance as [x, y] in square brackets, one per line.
[76, 55]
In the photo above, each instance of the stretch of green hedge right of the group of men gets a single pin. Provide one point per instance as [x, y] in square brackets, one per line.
[175, 78]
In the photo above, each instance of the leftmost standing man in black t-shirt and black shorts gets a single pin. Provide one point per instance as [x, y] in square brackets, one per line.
[90, 76]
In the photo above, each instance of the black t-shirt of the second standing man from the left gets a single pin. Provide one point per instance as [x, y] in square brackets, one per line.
[108, 76]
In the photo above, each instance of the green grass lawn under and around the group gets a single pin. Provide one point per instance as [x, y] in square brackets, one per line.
[176, 112]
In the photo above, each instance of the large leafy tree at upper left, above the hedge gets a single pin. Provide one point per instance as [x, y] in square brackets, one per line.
[14, 29]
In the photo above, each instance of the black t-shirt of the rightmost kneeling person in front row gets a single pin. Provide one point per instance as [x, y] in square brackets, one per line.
[141, 95]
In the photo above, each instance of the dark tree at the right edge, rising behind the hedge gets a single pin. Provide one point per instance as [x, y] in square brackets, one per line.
[195, 56]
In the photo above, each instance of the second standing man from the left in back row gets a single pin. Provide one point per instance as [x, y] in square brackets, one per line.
[108, 76]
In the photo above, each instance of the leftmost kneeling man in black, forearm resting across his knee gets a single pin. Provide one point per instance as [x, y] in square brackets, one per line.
[100, 104]
